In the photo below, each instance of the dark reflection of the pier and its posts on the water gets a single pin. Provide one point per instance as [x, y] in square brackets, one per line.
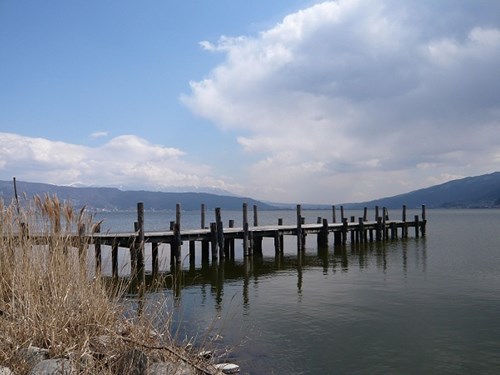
[212, 276]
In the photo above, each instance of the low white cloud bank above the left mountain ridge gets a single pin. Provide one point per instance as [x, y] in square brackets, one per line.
[126, 160]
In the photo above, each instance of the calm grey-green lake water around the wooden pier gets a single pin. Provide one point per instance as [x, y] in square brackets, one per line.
[423, 305]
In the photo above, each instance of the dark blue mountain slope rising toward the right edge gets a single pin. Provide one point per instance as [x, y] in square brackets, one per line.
[470, 192]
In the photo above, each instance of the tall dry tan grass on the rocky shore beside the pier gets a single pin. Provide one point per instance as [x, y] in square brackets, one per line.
[48, 299]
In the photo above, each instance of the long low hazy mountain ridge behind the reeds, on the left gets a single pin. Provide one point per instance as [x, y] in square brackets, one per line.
[118, 200]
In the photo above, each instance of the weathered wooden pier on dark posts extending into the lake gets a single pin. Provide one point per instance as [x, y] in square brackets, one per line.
[218, 241]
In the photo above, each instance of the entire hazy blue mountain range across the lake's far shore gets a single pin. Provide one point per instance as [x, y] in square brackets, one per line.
[470, 192]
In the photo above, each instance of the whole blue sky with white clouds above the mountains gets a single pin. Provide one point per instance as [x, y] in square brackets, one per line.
[285, 101]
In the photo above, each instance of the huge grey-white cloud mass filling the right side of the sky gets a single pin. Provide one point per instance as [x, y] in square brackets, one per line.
[350, 92]
